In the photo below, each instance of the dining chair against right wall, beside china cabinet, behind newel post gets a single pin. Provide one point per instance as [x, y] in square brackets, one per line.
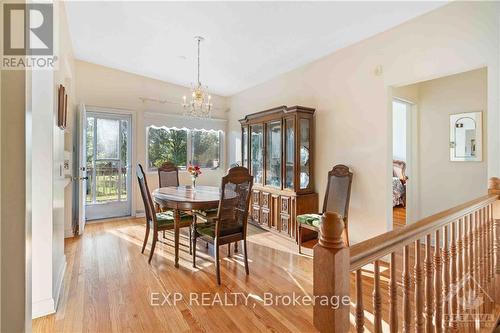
[337, 196]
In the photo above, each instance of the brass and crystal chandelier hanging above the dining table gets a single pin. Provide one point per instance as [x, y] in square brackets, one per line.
[199, 105]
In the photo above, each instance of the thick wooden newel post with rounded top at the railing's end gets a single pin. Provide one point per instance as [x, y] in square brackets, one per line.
[331, 277]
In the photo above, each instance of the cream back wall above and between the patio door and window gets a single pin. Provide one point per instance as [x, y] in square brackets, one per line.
[109, 89]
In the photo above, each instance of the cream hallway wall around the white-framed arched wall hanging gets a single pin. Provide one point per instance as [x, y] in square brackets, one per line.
[442, 183]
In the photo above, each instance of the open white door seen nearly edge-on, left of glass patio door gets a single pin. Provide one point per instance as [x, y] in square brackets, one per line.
[82, 170]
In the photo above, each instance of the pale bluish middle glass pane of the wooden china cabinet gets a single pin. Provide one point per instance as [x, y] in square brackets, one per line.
[273, 152]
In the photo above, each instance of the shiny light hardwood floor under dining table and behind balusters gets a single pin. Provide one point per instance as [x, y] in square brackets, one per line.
[109, 286]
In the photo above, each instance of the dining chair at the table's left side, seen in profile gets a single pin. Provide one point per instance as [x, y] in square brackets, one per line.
[157, 221]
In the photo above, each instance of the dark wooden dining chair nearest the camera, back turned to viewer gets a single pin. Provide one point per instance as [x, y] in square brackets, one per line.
[230, 224]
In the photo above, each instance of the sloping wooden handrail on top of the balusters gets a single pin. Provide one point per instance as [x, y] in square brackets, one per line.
[380, 246]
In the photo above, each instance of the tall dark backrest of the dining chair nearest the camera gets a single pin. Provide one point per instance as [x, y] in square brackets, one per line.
[233, 205]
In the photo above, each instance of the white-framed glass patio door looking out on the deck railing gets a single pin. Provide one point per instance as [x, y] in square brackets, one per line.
[108, 165]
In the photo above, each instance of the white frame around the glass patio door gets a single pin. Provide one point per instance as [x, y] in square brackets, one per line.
[133, 151]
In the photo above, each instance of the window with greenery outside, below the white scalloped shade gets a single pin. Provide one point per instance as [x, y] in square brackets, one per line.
[183, 146]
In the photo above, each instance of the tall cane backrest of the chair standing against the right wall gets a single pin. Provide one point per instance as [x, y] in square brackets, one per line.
[338, 191]
